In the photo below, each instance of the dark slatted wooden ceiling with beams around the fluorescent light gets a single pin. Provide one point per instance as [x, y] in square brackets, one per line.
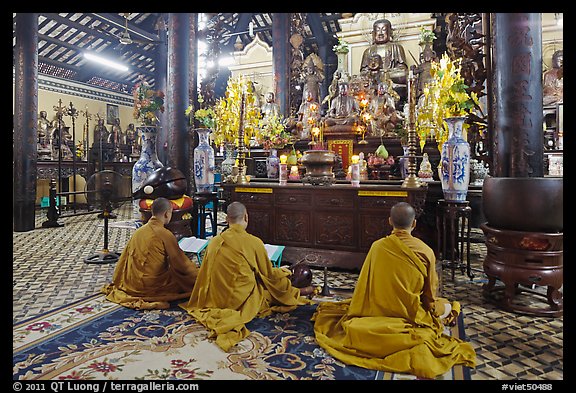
[133, 39]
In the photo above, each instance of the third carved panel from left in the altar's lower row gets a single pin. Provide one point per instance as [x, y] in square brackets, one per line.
[335, 229]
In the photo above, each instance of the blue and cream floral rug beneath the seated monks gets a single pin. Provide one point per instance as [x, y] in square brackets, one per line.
[94, 339]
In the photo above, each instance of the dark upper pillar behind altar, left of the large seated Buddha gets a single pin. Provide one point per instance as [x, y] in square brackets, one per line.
[281, 59]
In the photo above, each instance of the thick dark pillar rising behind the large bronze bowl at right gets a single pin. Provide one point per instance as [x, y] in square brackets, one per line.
[516, 102]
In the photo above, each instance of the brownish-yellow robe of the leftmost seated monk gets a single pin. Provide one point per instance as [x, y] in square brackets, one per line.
[152, 270]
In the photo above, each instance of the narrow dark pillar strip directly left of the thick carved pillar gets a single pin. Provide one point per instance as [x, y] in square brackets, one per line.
[161, 76]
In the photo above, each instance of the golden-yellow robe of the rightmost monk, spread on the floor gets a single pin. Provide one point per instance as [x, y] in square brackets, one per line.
[385, 325]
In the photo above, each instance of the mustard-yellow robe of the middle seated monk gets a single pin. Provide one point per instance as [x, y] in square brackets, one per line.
[237, 283]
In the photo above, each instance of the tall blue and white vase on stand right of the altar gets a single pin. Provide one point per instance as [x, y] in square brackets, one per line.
[454, 167]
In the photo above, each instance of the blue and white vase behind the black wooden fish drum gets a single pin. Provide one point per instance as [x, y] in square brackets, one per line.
[148, 161]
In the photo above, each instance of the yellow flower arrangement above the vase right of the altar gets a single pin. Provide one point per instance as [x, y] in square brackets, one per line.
[445, 96]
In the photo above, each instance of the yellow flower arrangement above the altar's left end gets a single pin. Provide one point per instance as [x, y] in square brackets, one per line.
[227, 112]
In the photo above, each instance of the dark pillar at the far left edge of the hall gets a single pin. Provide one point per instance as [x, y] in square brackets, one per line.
[25, 122]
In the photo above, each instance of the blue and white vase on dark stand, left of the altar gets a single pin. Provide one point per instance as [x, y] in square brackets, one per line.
[204, 162]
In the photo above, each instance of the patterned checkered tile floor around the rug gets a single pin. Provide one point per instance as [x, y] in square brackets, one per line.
[49, 271]
